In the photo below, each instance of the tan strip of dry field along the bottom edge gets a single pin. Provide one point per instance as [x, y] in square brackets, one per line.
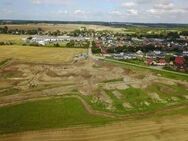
[166, 129]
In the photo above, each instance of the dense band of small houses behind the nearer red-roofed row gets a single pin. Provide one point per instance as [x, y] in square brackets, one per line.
[116, 42]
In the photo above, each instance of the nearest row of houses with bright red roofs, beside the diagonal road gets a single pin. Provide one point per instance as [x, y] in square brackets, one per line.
[154, 58]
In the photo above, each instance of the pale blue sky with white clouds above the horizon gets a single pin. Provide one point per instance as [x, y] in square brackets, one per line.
[141, 11]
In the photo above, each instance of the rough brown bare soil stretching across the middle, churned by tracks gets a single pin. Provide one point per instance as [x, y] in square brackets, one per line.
[82, 77]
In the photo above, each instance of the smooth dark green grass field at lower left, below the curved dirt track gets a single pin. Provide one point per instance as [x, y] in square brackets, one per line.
[45, 114]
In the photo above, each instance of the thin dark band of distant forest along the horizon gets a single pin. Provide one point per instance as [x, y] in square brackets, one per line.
[112, 24]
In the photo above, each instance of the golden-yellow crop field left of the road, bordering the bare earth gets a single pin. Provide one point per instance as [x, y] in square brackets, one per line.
[39, 54]
